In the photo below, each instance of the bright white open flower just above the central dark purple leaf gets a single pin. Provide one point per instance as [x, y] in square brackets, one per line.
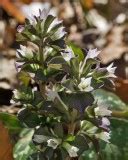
[85, 84]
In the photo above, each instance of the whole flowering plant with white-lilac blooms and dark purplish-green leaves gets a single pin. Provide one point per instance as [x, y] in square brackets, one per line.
[56, 85]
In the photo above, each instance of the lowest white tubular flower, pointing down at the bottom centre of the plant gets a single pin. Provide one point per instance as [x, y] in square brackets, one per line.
[72, 150]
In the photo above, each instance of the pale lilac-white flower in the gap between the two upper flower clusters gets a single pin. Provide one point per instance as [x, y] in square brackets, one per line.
[68, 54]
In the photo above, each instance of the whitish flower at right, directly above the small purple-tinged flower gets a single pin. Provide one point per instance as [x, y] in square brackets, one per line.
[102, 110]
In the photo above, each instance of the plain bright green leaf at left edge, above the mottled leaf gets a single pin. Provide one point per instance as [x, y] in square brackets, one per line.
[11, 122]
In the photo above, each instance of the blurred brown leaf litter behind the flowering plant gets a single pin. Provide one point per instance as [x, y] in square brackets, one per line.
[101, 24]
